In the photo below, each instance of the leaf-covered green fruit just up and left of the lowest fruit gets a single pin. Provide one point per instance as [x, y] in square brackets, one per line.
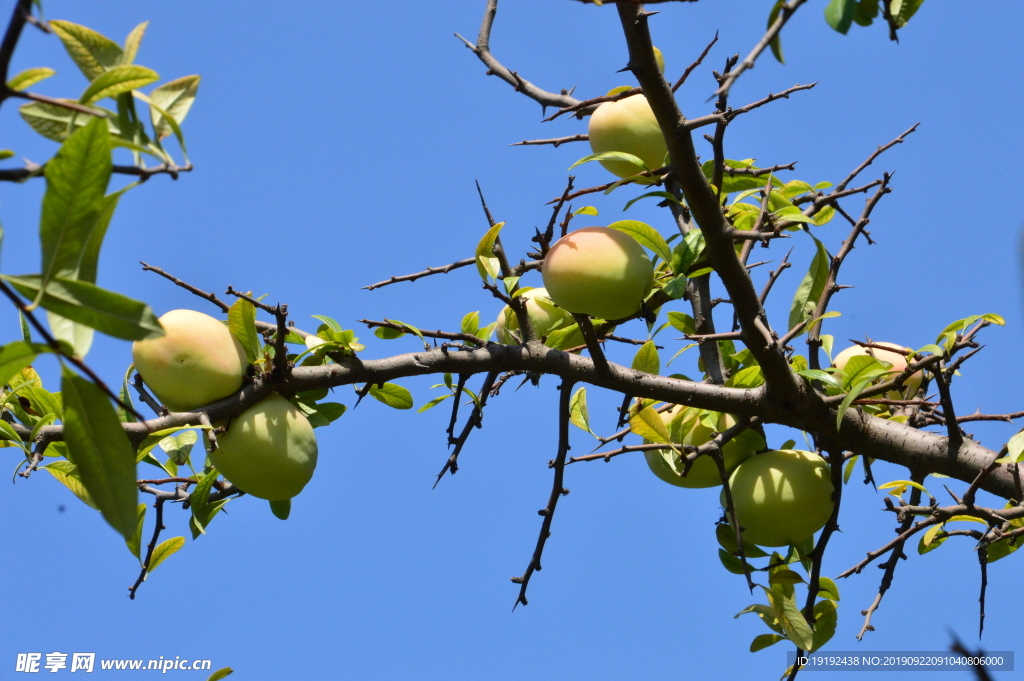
[686, 429]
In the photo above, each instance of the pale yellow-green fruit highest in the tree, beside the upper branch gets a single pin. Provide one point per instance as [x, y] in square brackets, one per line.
[628, 125]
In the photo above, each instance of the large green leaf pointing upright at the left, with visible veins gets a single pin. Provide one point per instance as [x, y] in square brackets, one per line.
[76, 182]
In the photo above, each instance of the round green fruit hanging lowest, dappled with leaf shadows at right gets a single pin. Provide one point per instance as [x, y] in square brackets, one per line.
[782, 497]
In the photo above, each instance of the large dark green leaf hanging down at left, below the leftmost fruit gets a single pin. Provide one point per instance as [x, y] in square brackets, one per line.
[103, 455]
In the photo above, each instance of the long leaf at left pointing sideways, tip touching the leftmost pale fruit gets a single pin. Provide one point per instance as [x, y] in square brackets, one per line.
[87, 304]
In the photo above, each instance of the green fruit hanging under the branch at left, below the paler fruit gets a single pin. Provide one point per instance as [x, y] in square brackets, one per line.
[270, 451]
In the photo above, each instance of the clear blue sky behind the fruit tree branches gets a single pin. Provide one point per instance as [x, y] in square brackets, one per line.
[336, 144]
